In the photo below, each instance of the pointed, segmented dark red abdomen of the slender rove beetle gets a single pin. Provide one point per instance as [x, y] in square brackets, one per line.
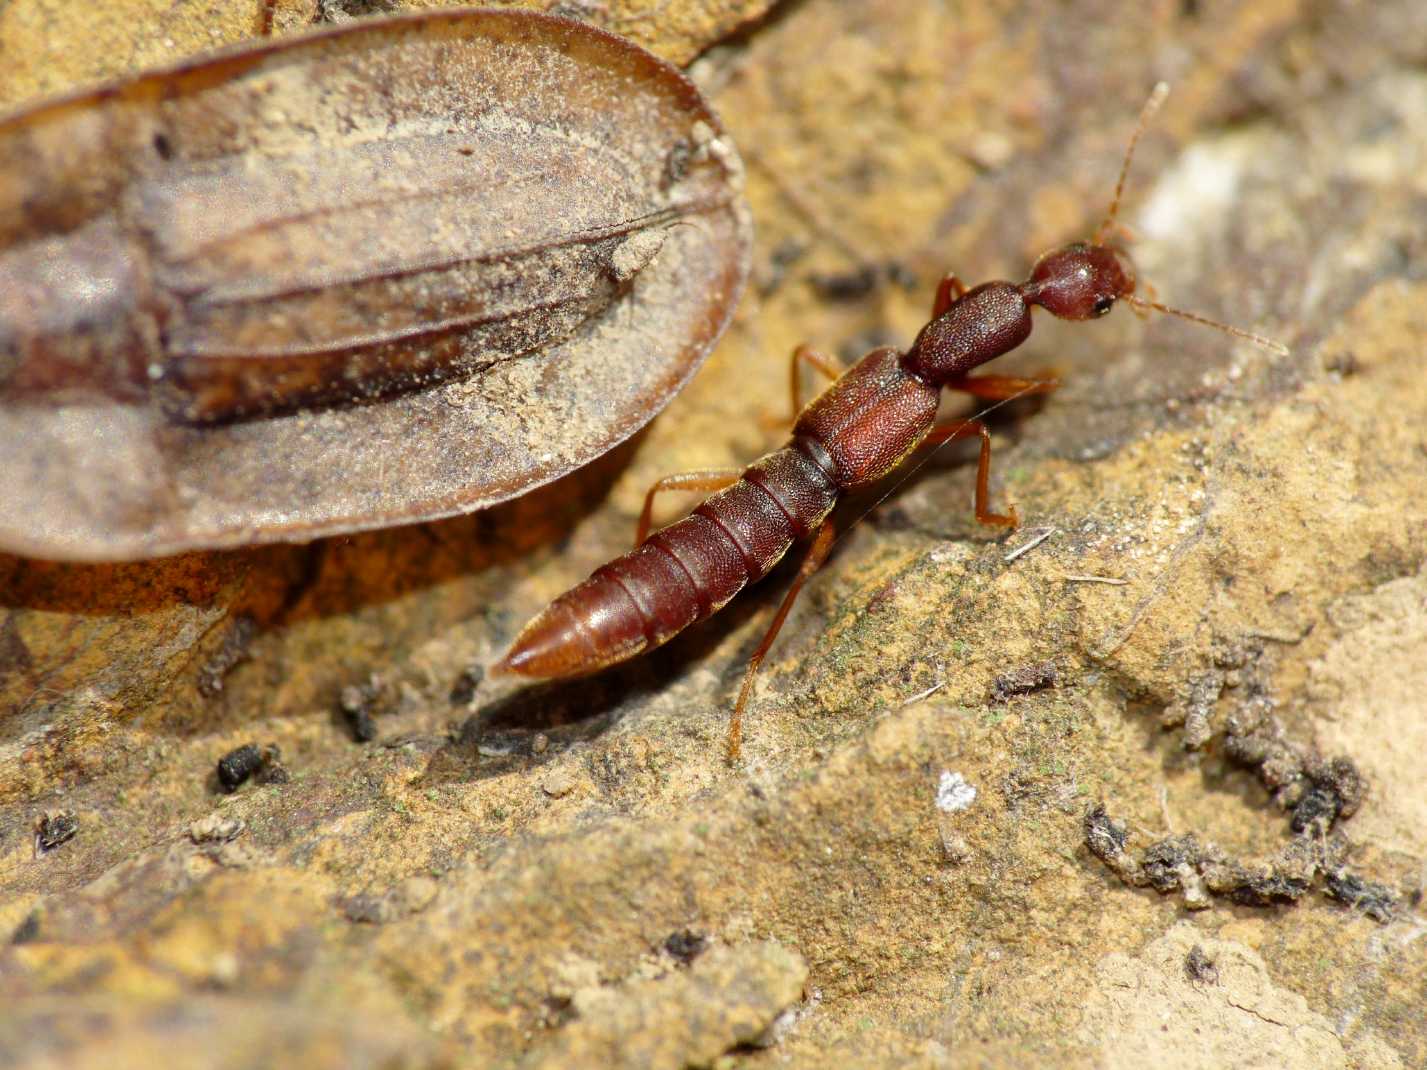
[681, 574]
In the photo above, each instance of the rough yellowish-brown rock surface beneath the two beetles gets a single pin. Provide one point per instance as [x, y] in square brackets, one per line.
[574, 875]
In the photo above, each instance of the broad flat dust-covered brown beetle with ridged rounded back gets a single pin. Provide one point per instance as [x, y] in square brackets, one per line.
[282, 292]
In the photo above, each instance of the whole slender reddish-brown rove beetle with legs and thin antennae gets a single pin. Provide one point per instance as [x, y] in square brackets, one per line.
[863, 427]
